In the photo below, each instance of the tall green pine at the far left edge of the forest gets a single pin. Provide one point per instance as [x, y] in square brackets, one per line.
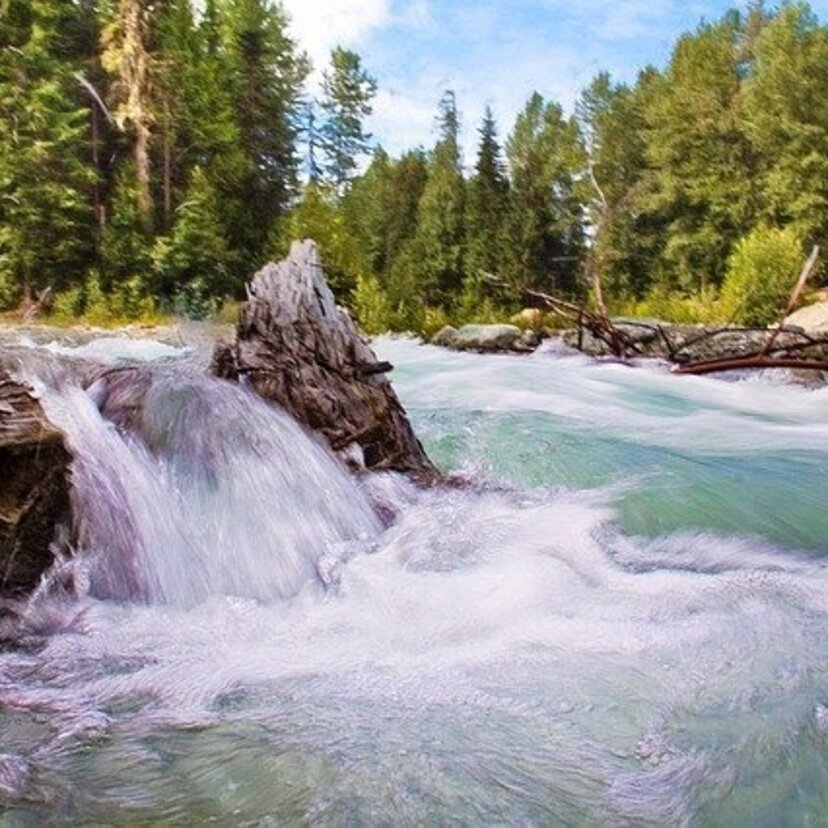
[45, 175]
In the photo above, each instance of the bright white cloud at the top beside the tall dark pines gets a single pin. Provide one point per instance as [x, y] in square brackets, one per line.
[319, 25]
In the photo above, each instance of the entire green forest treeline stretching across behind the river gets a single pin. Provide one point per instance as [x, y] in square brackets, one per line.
[154, 154]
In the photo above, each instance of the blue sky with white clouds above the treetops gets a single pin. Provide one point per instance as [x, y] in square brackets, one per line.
[490, 52]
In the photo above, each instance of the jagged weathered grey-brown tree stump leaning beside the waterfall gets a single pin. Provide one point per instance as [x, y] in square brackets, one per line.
[299, 350]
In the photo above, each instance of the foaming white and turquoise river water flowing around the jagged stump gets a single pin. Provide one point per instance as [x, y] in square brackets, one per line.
[624, 620]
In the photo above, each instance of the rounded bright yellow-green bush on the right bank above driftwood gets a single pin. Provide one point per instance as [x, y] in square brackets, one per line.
[761, 273]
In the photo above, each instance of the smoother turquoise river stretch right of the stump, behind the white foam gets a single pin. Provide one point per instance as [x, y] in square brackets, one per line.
[744, 457]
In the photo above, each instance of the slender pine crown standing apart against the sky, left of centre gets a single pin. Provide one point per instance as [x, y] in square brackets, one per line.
[347, 92]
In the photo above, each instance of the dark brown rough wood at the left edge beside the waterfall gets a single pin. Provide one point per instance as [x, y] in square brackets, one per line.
[34, 488]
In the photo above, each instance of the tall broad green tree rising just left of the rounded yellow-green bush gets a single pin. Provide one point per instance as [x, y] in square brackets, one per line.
[702, 185]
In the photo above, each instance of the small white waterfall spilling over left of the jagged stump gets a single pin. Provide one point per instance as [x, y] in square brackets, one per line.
[216, 493]
